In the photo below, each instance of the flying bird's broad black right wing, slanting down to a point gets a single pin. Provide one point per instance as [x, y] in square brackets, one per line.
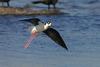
[55, 36]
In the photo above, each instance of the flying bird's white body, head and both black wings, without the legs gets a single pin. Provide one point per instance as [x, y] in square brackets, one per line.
[39, 26]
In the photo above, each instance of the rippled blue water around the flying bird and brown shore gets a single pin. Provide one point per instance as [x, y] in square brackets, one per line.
[79, 26]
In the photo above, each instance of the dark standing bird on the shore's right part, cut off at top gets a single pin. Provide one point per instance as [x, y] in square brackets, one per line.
[46, 2]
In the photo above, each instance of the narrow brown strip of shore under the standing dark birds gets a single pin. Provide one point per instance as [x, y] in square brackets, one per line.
[27, 11]
